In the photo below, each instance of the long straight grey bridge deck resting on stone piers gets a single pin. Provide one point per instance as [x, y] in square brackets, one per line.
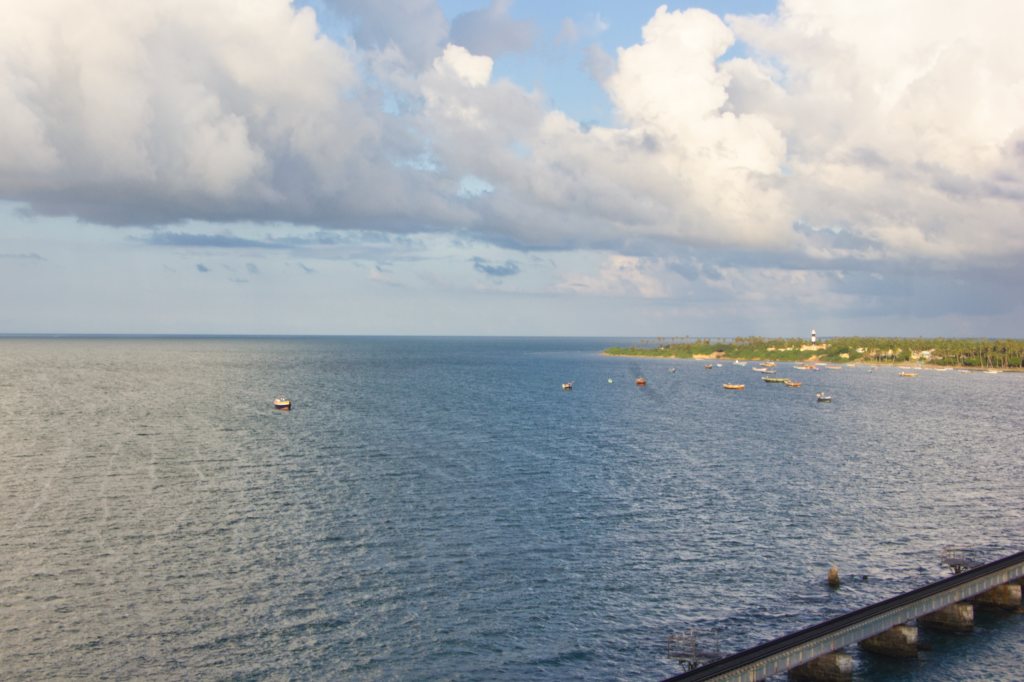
[801, 648]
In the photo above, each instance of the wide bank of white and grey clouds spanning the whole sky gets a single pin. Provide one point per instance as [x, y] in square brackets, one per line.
[827, 143]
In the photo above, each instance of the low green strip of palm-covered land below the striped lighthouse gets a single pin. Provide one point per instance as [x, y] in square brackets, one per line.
[940, 353]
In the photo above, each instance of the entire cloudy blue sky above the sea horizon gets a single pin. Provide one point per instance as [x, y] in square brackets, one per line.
[513, 167]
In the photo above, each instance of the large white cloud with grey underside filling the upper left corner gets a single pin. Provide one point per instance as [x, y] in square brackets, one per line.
[148, 113]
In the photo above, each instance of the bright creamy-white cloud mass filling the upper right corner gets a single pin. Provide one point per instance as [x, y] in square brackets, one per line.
[902, 120]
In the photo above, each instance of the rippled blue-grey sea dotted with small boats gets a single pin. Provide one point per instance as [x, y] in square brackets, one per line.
[442, 509]
